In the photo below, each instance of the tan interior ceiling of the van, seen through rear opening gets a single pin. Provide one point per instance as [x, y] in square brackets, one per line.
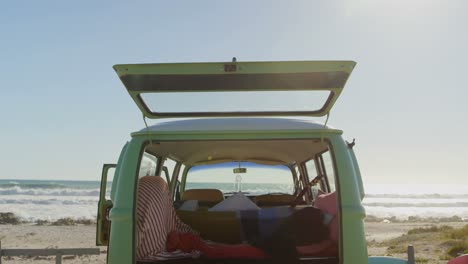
[260, 151]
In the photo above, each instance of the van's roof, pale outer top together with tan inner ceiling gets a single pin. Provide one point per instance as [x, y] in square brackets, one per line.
[284, 149]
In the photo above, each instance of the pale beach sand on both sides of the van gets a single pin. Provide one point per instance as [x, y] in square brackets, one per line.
[83, 236]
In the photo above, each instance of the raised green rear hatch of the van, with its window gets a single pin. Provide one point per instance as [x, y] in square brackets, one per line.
[301, 88]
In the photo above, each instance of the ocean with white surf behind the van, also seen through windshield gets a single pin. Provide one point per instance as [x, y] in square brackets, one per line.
[33, 200]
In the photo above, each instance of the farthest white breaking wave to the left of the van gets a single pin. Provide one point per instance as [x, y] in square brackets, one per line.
[49, 192]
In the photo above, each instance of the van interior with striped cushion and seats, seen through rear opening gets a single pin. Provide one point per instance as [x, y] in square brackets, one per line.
[270, 200]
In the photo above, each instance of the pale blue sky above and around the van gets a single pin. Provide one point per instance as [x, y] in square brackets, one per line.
[64, 112]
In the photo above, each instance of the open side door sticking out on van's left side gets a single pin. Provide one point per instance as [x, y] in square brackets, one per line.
[104, 205]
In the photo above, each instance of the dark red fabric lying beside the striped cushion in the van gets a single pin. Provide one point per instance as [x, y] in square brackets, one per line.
[188, 242]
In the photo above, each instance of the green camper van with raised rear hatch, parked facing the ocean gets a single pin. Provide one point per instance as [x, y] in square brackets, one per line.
[239, 129]
